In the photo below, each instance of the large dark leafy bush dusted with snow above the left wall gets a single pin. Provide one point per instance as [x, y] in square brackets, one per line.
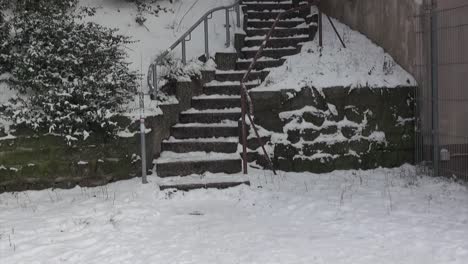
[74, 73]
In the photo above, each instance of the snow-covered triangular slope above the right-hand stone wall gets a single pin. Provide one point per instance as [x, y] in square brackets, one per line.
[361, 64]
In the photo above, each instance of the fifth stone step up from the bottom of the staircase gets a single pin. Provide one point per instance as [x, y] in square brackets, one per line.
[210, 115]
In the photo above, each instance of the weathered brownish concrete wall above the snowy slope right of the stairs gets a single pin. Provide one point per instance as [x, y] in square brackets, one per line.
[389, 23]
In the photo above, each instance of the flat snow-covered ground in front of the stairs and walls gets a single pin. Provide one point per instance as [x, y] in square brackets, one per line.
[379, 216]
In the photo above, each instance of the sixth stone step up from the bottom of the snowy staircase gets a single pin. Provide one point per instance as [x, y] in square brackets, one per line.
[215, 101]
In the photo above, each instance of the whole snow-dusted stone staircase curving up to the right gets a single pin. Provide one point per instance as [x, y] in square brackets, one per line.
[206, 139]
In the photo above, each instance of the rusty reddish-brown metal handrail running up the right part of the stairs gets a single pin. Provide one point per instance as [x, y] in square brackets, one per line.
[245, 97]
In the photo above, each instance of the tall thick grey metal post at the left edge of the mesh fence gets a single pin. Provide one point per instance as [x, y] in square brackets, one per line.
[435, 90]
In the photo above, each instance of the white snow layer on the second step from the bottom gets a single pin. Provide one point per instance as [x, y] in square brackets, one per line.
[171, 157]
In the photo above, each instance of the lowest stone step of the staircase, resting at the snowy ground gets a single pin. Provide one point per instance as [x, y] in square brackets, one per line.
[216, 181]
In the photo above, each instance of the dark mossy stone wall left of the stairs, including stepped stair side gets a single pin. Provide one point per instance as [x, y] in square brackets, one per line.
[31, 160]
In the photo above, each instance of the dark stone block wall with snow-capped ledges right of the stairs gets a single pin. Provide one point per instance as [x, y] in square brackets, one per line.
[336, 128]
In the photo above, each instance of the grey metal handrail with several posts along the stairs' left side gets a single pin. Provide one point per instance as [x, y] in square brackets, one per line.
[152, 70]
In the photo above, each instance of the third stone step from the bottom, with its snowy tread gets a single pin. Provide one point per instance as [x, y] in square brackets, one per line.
[226, 145]
